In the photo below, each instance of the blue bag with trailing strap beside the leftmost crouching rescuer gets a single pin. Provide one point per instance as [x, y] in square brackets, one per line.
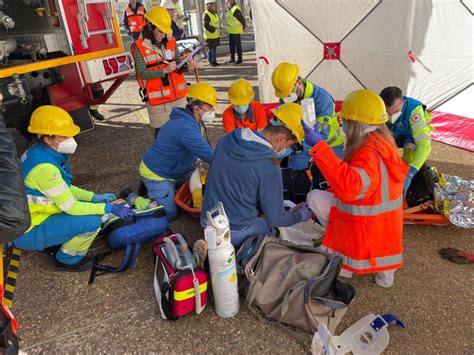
[119, 234]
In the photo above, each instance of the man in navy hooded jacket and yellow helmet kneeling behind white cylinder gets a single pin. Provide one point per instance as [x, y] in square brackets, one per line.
[245, 175]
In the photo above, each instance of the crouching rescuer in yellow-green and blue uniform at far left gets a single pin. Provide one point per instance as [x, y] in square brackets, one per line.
[61, 214]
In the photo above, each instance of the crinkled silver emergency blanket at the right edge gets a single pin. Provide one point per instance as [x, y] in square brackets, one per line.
[454, 197]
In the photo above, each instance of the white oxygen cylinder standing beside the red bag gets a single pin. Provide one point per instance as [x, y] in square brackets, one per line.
[221, 255]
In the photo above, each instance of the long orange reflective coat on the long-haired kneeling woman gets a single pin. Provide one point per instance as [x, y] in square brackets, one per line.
[366, 218]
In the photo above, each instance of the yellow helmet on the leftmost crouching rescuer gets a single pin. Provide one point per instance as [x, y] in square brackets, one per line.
[52, 121]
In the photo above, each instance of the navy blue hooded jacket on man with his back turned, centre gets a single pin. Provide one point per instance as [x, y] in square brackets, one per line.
[243, 174]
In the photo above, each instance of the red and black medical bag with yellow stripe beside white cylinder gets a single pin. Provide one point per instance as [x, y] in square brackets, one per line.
[180, 285]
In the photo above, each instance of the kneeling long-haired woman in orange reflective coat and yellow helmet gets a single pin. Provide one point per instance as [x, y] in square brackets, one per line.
[363, 213]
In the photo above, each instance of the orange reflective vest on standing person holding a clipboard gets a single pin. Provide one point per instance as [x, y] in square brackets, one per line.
[160, 90]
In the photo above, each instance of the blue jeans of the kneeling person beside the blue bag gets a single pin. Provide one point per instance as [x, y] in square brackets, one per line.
[163, 191]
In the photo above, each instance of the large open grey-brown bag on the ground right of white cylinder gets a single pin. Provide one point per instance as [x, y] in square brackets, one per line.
[294, 285]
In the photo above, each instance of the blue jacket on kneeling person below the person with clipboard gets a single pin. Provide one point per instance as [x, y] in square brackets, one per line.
[179, 144]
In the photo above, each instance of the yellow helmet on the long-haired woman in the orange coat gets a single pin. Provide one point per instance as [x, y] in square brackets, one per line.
[364, 106]
